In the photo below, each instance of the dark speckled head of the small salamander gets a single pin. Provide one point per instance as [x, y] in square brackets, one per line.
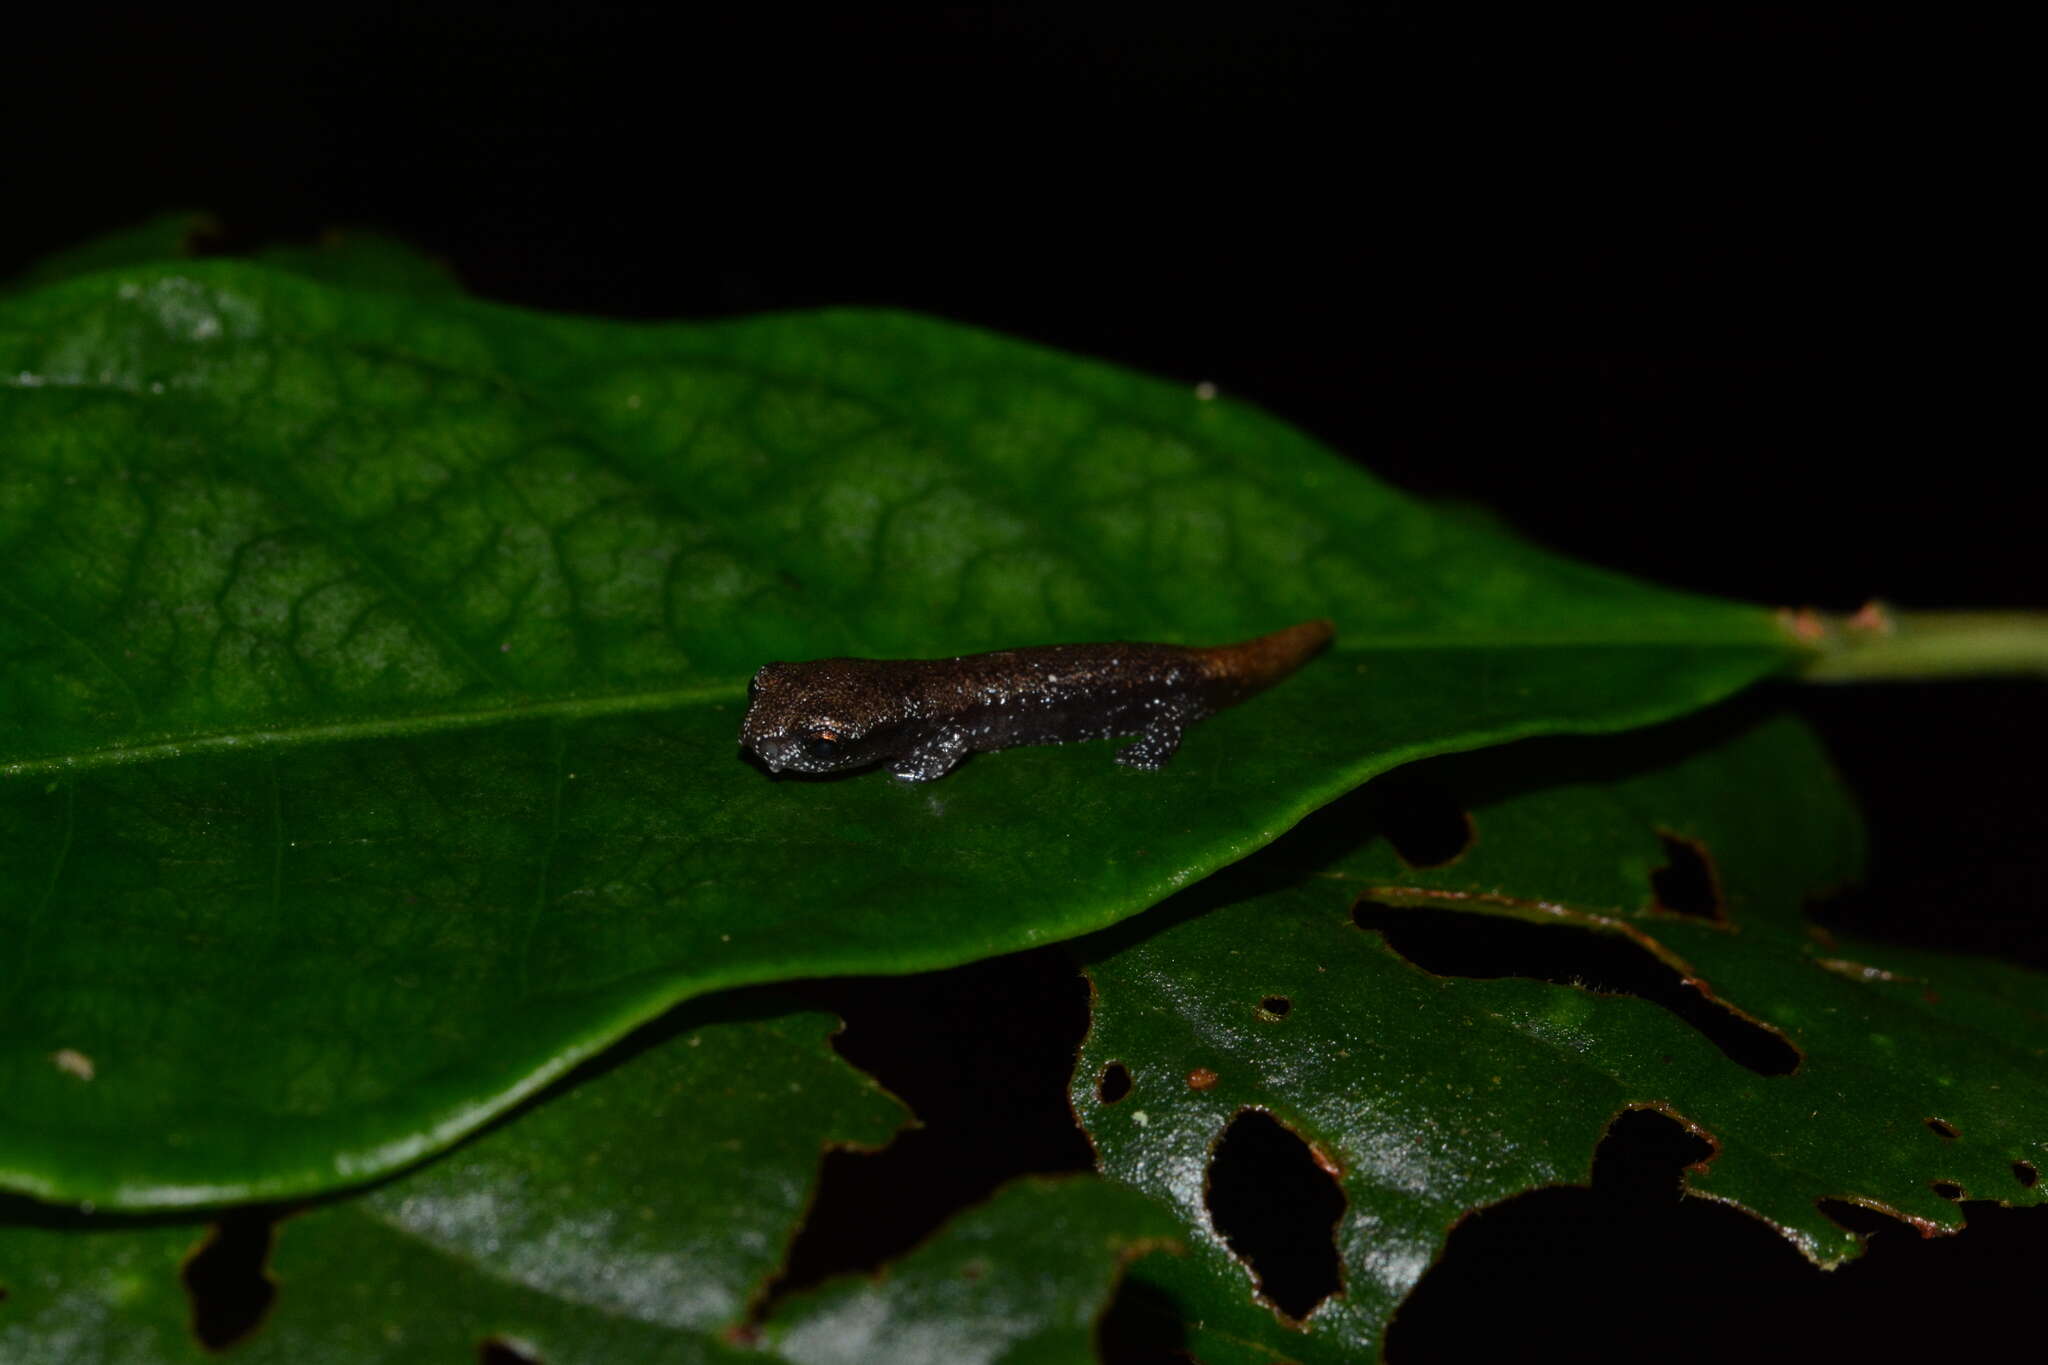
[824, 717]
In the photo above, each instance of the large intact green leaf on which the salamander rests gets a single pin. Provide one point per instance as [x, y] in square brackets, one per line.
[372, 666]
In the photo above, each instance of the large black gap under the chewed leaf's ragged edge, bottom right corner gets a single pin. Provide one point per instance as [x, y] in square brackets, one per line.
[1605, 1274]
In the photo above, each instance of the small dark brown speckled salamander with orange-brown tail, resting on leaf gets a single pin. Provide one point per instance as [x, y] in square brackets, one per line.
[921, 717]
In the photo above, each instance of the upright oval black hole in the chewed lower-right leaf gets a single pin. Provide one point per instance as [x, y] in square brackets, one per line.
[1279, 1210]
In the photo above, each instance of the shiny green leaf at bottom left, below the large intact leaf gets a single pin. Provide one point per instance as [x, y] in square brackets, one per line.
[634, 1219]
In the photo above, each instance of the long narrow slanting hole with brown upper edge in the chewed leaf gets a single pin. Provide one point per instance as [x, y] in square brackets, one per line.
[1488, 946]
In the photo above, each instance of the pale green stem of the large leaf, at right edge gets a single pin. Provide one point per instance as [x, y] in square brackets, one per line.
[1881, 644]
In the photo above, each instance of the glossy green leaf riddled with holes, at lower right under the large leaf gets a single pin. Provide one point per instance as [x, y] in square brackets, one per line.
[1431, 1094]
